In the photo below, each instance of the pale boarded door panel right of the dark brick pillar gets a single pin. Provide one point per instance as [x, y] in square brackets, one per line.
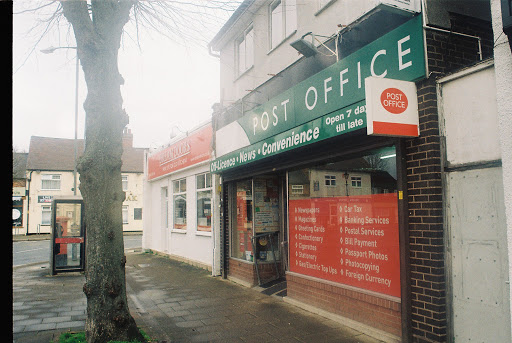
[476, 217]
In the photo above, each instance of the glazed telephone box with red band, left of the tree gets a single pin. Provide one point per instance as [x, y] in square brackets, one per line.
[67, 245]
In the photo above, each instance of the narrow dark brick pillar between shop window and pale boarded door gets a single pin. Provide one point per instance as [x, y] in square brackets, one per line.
[426, 231]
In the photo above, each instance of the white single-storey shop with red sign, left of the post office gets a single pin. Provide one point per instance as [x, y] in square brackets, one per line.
[180, 203]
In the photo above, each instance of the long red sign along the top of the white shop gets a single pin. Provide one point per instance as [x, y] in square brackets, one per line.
[191, 150]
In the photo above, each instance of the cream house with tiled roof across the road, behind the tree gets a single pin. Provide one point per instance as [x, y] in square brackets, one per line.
[50, 173]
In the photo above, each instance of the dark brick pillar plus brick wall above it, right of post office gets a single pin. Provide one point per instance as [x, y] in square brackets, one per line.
[445, 53]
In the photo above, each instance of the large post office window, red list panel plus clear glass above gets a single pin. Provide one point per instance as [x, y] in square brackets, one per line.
[347, 232]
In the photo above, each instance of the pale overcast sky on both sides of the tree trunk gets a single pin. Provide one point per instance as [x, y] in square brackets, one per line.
[166, 84]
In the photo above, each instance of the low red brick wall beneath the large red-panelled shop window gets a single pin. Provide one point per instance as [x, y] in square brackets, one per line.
[374, 311]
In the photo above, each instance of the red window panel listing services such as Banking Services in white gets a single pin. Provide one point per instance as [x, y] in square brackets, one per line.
[349, 240]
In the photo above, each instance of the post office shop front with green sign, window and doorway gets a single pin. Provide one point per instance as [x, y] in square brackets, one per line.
[314, 186]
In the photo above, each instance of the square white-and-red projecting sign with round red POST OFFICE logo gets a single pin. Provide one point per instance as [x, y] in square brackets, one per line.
[391, 108]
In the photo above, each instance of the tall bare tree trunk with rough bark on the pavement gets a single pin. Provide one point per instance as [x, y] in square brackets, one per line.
[98, 31]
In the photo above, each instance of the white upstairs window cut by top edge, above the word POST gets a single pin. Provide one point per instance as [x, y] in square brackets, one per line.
[283, 21]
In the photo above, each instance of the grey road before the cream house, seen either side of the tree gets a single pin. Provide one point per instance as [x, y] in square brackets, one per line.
[26, 252]
